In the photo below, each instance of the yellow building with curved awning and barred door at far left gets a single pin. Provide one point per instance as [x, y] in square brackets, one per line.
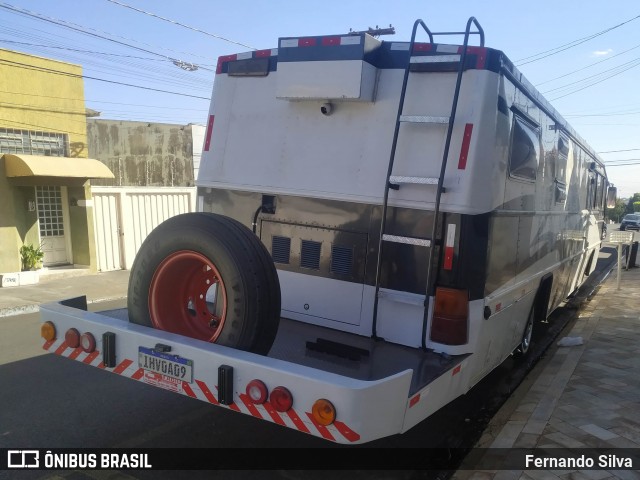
[45, 169]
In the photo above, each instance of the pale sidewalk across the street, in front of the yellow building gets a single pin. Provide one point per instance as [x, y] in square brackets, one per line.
[58, 285]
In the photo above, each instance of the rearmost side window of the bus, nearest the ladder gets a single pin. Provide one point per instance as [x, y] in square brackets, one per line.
[525, 150]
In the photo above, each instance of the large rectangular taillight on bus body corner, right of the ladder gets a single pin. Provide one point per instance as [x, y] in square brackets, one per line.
[450, 313]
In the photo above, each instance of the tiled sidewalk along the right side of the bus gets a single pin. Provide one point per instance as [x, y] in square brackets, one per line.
[585, 396]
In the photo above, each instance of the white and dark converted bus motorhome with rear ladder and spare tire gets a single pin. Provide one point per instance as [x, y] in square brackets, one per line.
[380, 224]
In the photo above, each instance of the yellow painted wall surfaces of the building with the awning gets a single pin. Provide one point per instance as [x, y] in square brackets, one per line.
[43, 95]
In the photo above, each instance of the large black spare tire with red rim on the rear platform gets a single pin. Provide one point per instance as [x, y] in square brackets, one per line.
[206, 276]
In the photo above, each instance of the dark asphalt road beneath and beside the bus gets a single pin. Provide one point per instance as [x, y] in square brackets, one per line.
[54, 402]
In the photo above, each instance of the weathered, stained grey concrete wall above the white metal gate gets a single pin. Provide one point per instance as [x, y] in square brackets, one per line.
[141, 153]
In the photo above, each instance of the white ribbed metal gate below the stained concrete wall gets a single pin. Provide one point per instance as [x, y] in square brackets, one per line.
[124, 216]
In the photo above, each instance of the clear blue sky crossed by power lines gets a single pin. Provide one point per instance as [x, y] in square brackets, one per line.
[154, 60]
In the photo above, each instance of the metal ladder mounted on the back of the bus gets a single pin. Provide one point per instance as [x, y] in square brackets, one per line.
[395, 181]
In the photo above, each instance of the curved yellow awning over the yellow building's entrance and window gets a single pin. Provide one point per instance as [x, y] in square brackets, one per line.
[61, 167]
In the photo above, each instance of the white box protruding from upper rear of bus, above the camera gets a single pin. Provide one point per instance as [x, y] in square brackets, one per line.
[327, 68]
